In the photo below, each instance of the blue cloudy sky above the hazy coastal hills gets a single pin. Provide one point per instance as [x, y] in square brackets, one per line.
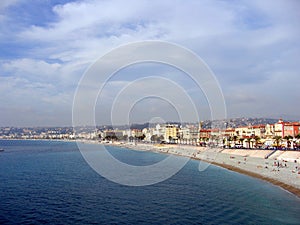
[46, 47]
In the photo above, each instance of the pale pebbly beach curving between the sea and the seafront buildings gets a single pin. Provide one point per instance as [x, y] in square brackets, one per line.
[281, 168]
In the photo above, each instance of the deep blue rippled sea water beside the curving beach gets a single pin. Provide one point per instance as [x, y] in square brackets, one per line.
[48, 182]
